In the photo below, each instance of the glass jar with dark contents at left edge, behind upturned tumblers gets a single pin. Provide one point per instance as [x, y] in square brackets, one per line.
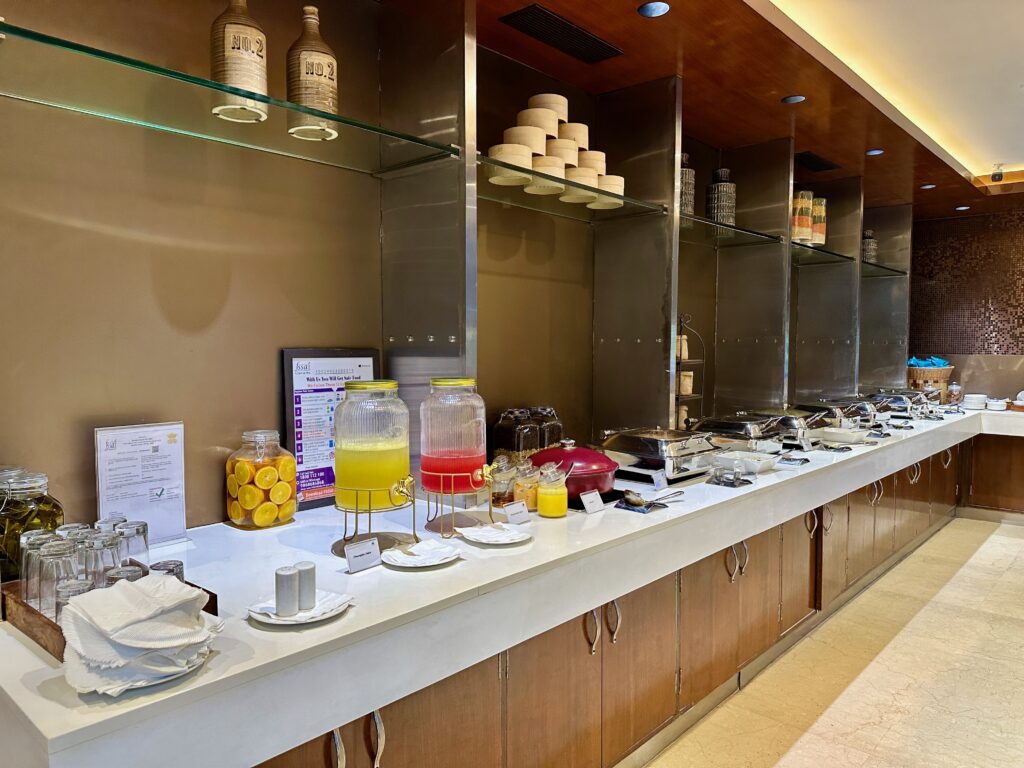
[25, 505]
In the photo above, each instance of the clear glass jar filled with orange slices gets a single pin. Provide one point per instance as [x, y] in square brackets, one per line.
[261, 482]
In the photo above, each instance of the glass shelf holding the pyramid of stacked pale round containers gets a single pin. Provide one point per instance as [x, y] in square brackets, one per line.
[516, 196]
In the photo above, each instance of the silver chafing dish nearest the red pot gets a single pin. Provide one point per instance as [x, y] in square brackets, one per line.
[642, 453]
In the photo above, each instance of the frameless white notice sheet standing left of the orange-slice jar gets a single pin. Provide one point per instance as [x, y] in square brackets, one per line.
[141, 475]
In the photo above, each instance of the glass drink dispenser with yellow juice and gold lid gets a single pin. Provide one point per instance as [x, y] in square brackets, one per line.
[371, 447]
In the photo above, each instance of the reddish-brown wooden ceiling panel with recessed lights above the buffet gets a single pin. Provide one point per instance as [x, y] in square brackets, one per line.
[737, 67]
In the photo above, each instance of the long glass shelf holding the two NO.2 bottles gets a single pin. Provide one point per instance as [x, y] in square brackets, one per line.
[57, 73]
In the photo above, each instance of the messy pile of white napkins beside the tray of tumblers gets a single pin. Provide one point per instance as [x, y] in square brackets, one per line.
[136, 634]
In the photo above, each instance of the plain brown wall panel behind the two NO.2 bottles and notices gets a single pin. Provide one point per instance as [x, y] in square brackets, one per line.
[149, 277]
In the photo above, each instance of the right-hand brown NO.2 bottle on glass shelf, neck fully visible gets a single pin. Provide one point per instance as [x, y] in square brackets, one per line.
[313, 81]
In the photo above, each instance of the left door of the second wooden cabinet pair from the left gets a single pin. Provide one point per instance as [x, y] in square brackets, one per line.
[553, 698]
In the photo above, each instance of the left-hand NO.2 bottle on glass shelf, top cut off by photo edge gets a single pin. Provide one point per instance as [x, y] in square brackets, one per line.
[238, 59]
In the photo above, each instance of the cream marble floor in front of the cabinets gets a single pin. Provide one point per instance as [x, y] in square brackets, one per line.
[925, 669]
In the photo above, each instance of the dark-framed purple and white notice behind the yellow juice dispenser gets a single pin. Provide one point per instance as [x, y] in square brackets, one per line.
[315, 387]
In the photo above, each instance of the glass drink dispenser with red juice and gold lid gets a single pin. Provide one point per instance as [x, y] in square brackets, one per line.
[453, 438]
